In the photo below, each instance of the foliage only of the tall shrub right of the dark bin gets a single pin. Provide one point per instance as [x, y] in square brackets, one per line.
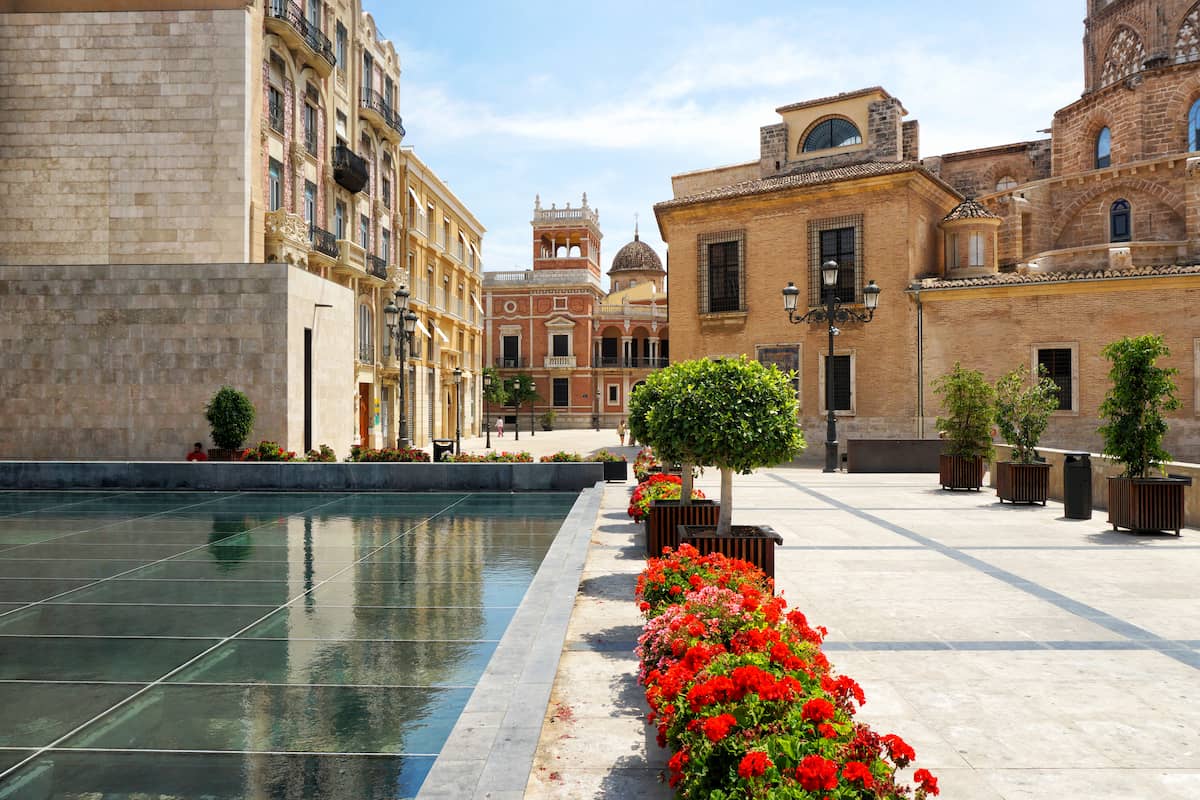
[1136, 402]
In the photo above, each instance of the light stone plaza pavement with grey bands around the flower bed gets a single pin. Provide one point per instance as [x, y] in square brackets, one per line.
[1023, 655]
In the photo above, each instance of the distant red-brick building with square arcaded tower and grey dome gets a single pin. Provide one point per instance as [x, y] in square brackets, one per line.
[585, 348]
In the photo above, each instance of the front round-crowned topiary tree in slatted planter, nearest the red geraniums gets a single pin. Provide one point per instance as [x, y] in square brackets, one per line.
[736, 416]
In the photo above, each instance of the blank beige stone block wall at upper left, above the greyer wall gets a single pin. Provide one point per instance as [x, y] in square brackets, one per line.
[123, 139]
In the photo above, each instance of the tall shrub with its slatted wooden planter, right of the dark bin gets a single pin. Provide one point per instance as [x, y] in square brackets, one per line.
[1133, 436]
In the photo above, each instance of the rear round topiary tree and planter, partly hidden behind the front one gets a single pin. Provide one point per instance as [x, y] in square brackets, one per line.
[657, 411]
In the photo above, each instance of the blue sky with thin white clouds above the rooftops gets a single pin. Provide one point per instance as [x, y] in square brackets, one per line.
[507, 101]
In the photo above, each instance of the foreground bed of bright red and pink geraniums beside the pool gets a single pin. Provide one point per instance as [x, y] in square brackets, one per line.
[742, 694]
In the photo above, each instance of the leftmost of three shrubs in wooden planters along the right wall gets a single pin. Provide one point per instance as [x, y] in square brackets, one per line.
[969, 402]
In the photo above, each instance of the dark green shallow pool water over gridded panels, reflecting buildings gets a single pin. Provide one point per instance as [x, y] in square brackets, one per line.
[213, 646]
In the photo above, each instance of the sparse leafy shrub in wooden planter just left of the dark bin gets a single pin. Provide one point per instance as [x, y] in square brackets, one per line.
[1023, 412]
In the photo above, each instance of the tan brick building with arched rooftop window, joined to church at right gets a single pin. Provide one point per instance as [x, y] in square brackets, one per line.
[1036, 252]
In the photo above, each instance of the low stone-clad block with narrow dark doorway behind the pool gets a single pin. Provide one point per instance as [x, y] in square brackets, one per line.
[118, 362]
